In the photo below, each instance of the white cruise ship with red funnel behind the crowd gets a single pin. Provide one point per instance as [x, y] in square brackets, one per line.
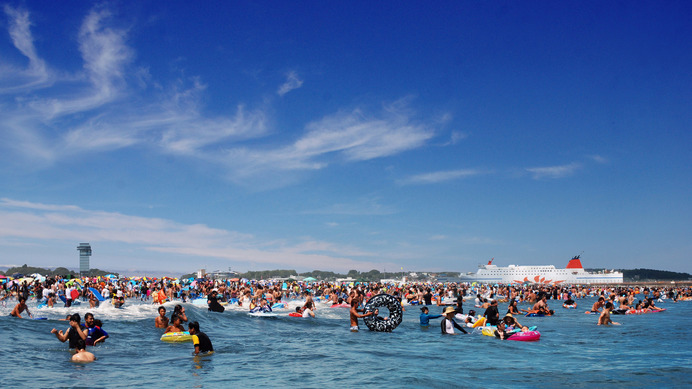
[574, 273]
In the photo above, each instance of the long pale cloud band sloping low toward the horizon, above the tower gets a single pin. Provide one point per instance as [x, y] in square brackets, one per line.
[22, 220]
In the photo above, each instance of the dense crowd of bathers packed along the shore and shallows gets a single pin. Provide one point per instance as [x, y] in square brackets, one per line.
[261, 296]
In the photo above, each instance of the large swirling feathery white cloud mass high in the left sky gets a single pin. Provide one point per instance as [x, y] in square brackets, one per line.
[96, 110]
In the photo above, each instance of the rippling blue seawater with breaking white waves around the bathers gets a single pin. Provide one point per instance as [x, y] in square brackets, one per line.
[646, 351]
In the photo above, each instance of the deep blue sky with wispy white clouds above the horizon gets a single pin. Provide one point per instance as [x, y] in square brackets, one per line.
[335, 136]
